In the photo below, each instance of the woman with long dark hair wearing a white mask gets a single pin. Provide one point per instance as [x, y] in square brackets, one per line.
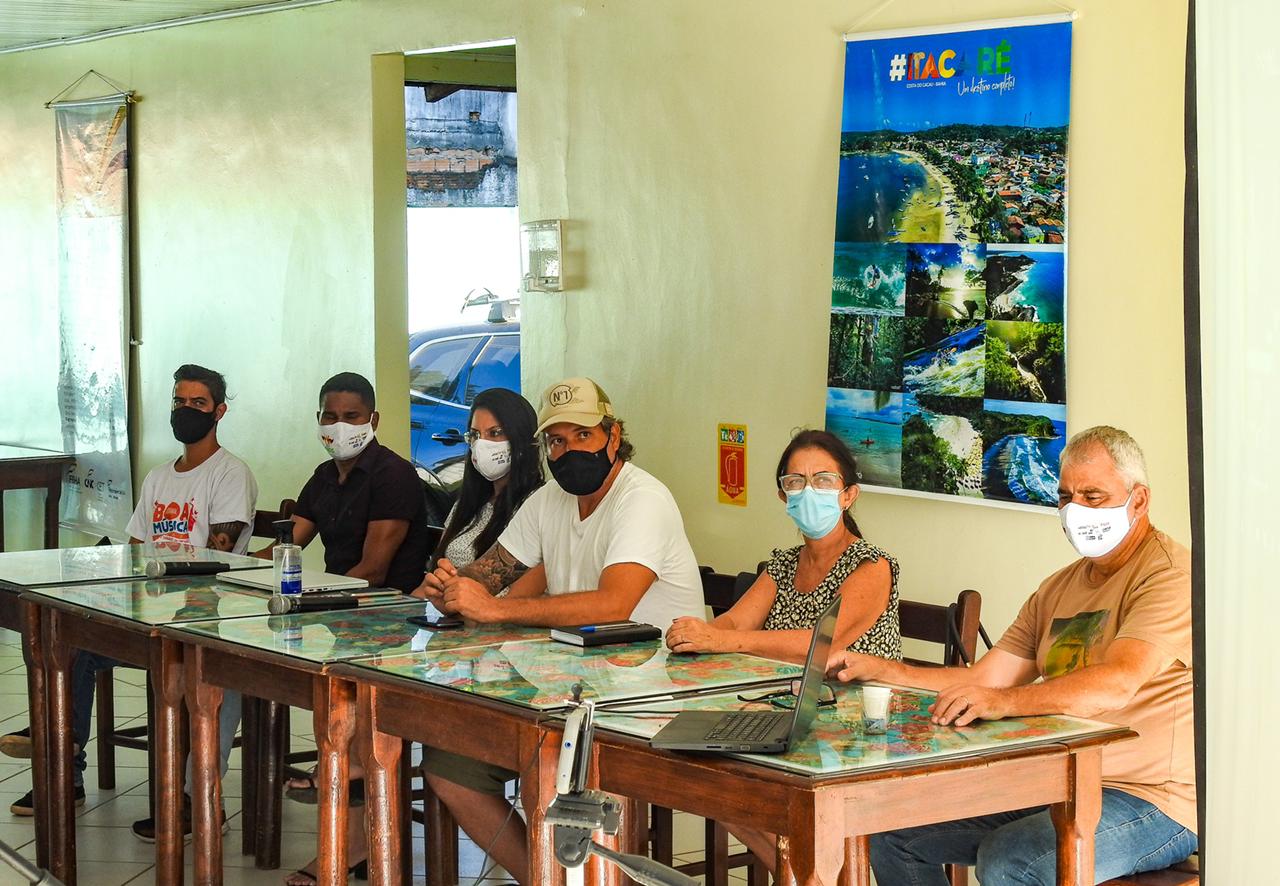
[502, 469]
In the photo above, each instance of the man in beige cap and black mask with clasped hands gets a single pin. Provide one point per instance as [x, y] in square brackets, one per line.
[606, 542]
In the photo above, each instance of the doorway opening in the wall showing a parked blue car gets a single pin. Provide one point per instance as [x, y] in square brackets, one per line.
[464, 246]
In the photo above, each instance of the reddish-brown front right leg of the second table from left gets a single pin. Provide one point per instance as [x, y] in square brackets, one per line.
[335, 723]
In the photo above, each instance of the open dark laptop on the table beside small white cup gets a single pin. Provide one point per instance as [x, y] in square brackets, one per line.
[758, 732]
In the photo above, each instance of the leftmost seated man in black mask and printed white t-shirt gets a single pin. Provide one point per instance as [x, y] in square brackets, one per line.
[205, 499]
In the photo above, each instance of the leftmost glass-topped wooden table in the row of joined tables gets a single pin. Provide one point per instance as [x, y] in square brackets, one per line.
[121, 620]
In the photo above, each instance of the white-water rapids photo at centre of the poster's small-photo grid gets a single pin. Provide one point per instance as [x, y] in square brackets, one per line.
[944, 358]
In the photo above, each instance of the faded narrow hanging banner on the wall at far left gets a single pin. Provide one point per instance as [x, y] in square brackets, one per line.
[93, 310]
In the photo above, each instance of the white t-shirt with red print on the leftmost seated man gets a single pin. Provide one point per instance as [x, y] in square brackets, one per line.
[177, 509]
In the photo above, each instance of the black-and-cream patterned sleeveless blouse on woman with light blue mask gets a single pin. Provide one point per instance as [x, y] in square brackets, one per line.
[794, 610]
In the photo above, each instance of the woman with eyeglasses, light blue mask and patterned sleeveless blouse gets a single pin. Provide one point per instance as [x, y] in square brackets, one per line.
[819, 482]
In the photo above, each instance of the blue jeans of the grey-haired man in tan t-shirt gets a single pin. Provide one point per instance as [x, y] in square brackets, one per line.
[1020, 847]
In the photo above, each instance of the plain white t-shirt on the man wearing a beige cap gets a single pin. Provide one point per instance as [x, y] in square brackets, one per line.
[637, 523]
